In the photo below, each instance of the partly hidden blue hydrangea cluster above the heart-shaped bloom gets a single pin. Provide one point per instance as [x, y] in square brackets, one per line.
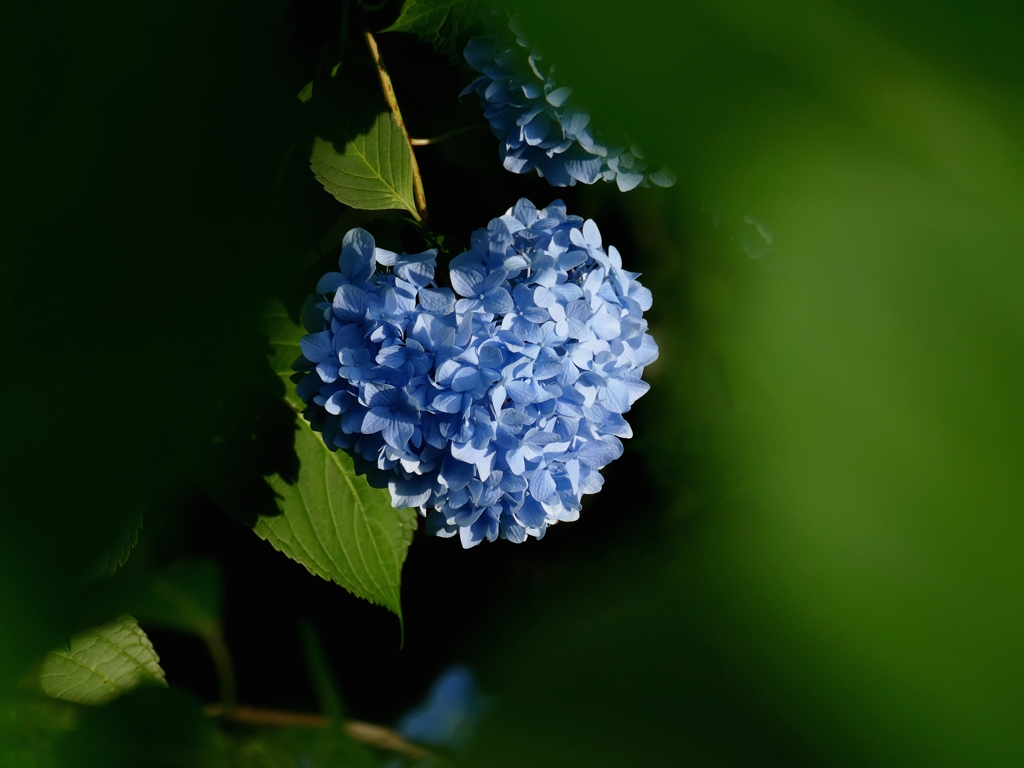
[540, 127]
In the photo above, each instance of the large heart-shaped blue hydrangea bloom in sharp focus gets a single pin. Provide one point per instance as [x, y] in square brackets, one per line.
[491, 408]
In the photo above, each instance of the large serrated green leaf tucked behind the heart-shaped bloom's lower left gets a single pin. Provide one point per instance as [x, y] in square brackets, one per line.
[332, 521]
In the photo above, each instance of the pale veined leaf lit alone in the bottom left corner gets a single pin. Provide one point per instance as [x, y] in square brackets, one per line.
[101, 665]
